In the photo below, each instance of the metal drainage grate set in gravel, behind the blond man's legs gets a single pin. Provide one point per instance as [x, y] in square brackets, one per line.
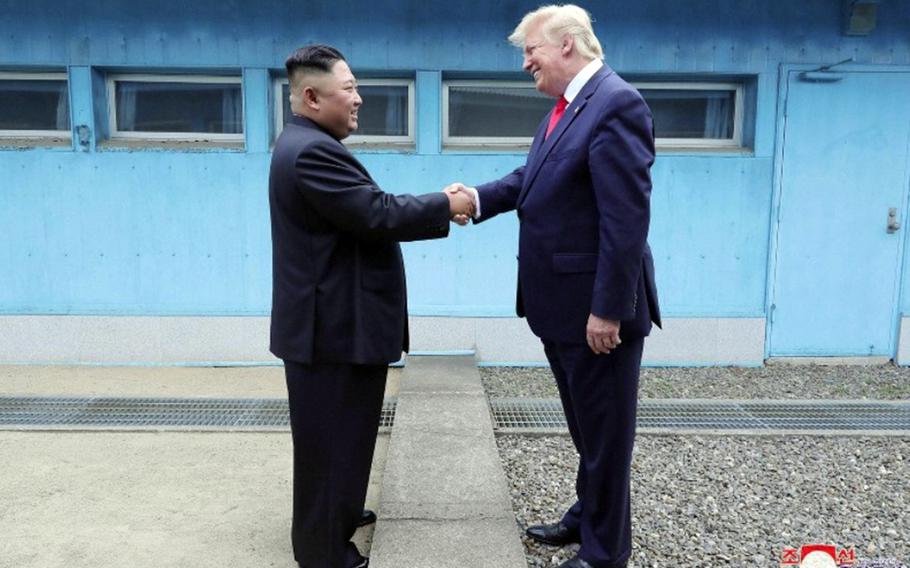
[546, 415]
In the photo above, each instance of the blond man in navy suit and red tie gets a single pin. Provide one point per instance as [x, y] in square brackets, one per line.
[585, 272]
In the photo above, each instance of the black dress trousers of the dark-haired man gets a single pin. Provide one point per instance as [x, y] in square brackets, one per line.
[335, 411]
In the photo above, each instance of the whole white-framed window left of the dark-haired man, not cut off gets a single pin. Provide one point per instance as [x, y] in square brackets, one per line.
[176, 107]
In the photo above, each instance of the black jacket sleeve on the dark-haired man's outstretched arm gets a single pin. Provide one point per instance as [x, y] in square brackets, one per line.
[332, 182]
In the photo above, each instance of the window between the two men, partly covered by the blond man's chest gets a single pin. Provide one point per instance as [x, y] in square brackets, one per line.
[491, 113]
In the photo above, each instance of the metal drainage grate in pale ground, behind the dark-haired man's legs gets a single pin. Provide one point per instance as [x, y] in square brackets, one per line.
[226, 413]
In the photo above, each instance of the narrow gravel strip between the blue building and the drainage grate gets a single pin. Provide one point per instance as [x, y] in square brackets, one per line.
[885, 382]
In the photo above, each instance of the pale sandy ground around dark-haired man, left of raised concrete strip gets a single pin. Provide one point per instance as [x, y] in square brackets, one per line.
[151, 499]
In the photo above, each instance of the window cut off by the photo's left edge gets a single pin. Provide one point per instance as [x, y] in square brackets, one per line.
[34, 105]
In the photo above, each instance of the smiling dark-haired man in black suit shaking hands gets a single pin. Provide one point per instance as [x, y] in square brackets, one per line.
[339, 312]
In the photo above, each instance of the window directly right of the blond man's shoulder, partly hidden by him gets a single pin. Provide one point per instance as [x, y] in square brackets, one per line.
[695, 115]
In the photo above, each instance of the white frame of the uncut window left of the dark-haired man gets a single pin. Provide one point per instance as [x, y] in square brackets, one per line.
[116, 134]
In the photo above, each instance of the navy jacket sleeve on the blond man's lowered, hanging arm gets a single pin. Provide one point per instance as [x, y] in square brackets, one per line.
[621, 152]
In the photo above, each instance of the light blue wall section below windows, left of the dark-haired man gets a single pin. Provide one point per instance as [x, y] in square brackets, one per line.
[139, 233]
